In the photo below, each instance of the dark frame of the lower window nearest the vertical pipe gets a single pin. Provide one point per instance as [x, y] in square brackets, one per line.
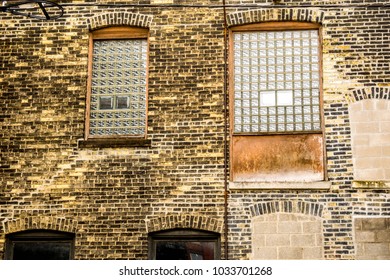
[183, 235]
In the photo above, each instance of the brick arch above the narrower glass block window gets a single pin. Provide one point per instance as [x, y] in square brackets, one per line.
[118, 18]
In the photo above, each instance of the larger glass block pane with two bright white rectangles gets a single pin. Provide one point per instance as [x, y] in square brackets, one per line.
[276, 81]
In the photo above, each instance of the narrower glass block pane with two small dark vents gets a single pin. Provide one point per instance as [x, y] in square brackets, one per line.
[118, 87]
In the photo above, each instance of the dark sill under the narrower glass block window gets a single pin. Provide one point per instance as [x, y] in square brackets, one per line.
[113, 143]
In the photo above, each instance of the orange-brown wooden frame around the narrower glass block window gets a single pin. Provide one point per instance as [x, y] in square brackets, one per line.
[114, 33]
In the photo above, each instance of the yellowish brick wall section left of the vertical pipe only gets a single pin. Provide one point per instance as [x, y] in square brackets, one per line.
[111, 195]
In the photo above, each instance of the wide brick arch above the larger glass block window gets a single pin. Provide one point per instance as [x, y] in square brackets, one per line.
[275, 14]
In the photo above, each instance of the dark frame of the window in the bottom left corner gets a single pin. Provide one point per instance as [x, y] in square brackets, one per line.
[38, 235]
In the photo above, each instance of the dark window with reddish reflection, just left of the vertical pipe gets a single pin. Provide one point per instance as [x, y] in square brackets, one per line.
[184, 245]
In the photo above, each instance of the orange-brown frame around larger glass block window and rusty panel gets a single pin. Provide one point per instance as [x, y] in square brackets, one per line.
[251, 136]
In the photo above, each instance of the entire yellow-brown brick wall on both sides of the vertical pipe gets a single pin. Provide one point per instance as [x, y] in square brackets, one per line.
[112, 197]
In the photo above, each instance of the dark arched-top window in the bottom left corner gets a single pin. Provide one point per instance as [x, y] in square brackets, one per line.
[39, 245]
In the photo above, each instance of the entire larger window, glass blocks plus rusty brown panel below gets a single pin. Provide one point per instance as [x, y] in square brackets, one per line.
[277, 132]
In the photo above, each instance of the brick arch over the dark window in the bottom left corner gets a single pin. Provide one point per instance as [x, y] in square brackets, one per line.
[48, 223]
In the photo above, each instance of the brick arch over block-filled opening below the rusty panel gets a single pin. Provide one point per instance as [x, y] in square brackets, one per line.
[288, 206]
